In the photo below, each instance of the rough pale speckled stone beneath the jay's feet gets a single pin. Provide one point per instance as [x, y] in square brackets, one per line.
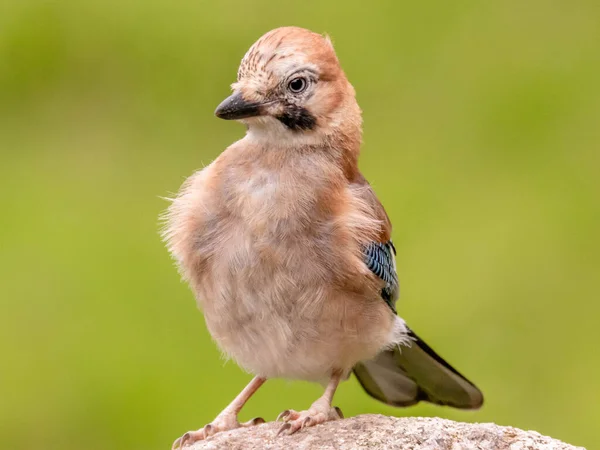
[376, 432]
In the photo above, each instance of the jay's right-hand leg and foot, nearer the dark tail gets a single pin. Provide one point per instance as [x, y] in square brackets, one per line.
[320, 411]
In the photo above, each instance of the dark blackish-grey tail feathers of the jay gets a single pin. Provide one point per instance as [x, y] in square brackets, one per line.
[407, 374]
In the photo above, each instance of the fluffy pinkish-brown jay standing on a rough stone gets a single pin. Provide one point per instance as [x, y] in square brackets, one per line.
[288, 250]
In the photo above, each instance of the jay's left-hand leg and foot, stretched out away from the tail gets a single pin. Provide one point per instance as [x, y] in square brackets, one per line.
[227, 419]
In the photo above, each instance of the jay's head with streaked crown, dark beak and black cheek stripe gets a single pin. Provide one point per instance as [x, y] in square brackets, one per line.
[291, 87]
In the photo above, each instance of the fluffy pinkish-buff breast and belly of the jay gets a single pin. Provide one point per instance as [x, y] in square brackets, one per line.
[272, 260]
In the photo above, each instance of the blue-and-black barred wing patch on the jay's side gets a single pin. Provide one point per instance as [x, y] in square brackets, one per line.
[379, 258]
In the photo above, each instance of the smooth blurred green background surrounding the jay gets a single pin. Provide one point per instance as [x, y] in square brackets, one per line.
[481, 138]
